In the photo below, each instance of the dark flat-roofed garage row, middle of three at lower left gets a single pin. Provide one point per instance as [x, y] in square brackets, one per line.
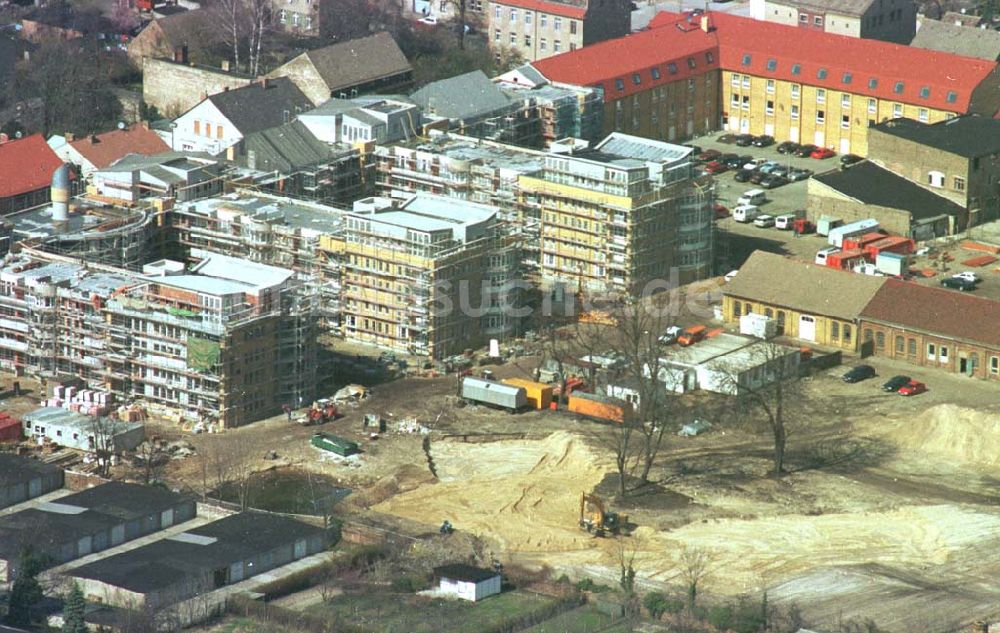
[87, 522]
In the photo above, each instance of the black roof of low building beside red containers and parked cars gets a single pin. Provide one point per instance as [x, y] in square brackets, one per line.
[870, 184]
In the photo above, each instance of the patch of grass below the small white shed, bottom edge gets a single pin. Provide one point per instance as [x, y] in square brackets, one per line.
[394, 613]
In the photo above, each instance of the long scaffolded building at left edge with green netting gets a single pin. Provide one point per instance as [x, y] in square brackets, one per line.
[226, 341]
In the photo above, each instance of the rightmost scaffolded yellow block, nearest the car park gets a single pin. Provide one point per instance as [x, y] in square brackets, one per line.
[619, 216]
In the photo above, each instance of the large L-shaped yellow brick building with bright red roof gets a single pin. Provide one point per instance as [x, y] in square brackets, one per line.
[724, 71]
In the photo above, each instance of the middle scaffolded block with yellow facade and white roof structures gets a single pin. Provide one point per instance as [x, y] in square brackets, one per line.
[426, 275]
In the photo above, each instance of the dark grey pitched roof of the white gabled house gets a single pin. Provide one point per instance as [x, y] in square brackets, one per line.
[255, 107]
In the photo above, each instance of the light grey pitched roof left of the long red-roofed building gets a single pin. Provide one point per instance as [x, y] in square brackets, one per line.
[463, 97]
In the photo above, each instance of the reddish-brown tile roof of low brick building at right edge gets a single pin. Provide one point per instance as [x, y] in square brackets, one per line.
[933, 310]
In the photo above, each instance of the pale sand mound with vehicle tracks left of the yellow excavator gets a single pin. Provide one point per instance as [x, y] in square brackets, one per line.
[524, 494]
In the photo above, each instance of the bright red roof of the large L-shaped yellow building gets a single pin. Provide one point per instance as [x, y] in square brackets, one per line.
[820, 59]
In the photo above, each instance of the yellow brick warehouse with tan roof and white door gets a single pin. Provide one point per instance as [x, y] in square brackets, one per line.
[813, 303]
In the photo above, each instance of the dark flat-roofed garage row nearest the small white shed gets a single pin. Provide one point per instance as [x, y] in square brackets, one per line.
[205, 558]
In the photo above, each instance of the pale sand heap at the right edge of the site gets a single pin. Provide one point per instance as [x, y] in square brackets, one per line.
[953, 432]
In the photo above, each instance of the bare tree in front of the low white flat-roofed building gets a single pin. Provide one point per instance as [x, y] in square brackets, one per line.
[769, 389]
